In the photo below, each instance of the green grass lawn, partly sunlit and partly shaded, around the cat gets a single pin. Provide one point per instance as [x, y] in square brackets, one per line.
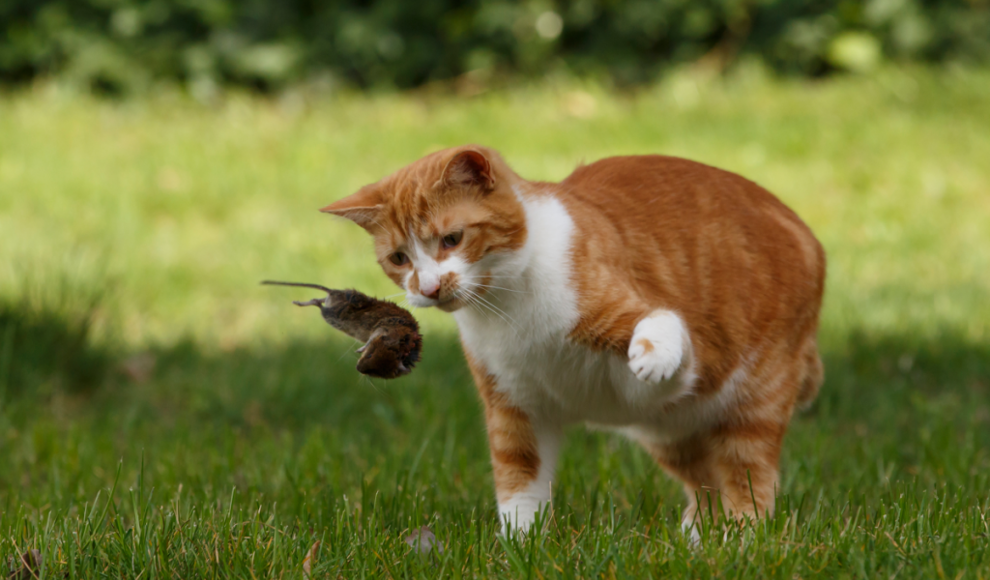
[135, 232]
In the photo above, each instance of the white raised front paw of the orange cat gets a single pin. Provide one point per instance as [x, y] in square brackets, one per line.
[656, 351]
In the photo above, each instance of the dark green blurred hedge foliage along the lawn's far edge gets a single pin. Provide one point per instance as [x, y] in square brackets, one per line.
[118, 45]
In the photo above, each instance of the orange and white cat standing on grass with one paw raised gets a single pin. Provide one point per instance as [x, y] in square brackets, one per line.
[666, 299]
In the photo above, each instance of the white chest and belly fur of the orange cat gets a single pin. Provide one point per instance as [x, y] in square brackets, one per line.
[523, 339]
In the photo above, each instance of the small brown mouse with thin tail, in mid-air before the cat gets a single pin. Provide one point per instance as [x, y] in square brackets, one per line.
[390, 334]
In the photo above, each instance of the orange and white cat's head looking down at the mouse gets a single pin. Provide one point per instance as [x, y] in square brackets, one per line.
[446, 227]
